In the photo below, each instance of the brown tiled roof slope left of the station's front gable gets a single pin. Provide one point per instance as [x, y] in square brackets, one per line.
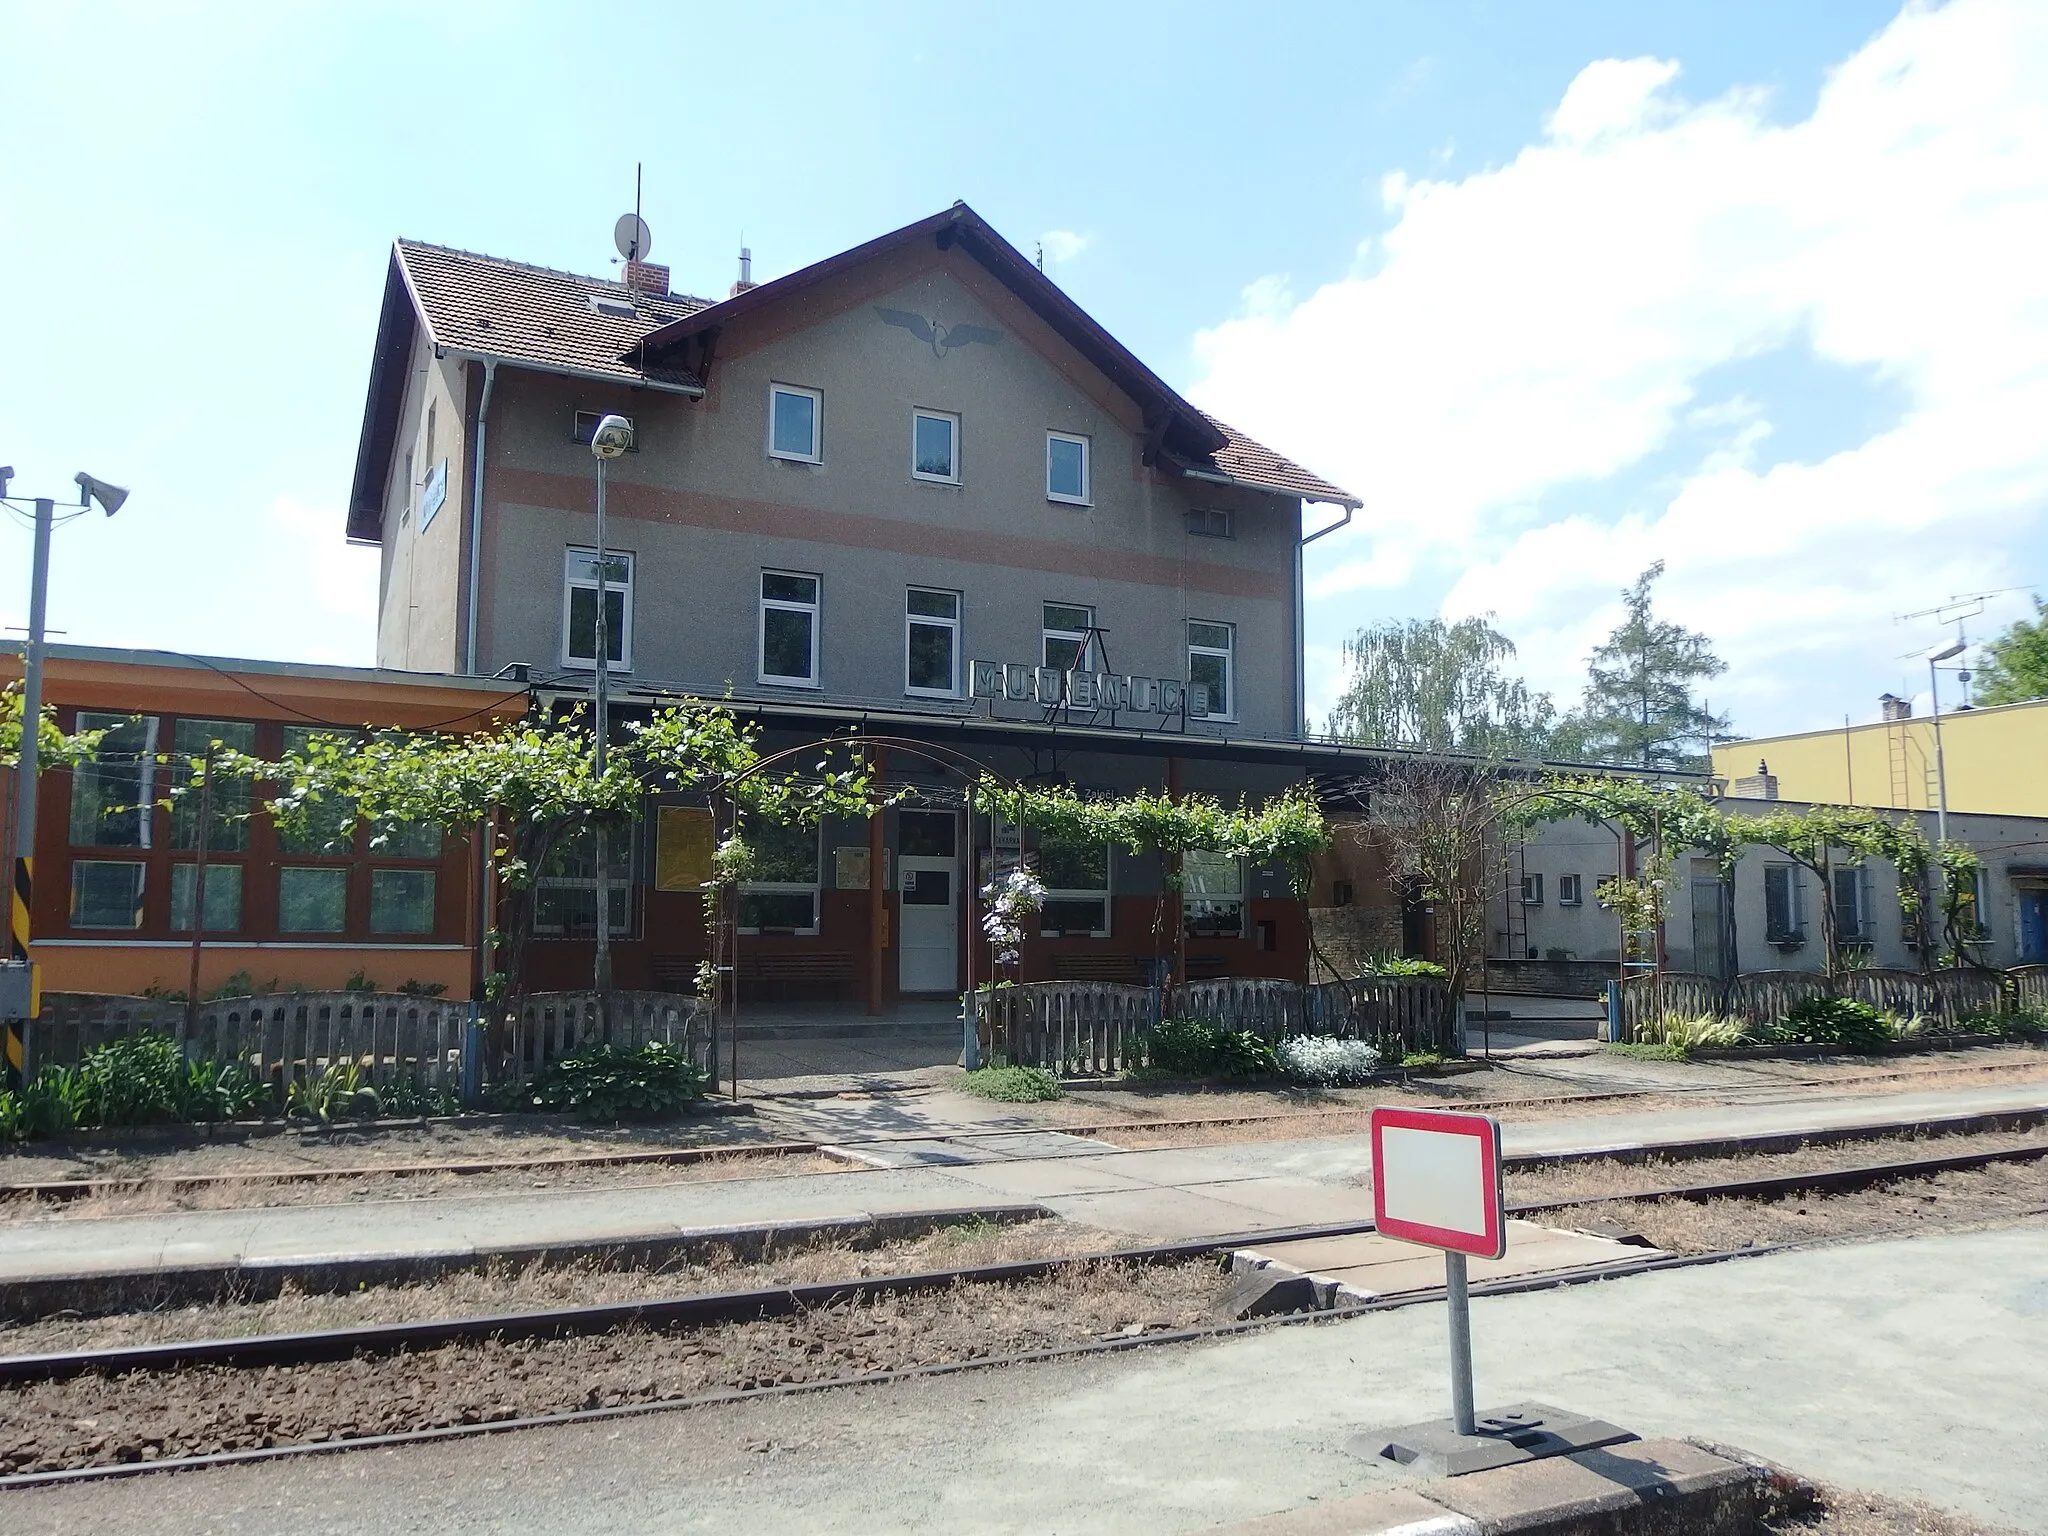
[536, 314]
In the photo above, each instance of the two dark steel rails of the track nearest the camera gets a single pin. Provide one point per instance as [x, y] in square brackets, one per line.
[736, 1308]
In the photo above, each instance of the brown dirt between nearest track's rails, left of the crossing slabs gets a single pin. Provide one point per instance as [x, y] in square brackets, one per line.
[151, 1416]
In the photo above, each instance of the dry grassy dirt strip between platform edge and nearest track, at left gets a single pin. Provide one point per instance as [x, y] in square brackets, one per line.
[531, 1287]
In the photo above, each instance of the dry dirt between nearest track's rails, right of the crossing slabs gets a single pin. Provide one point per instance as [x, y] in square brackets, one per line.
[1998, 1195]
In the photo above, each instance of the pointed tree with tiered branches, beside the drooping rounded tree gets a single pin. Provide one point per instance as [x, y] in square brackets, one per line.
[1639, 706]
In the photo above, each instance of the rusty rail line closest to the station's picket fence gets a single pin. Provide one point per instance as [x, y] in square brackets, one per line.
[60, 1191]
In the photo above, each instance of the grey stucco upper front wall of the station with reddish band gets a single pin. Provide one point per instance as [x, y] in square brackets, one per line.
[703, 509]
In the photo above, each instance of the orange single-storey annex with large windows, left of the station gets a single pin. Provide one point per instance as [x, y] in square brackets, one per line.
[118, 865]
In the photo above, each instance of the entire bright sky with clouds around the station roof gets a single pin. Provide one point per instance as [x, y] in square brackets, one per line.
[1375, 237]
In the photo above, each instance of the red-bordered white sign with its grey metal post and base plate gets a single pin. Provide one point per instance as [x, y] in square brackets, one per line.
[1437, 1181]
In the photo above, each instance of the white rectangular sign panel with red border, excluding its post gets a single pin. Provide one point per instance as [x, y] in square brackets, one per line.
[1437, 1181]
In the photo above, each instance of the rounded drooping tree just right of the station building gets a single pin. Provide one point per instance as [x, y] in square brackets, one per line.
[1420, 683]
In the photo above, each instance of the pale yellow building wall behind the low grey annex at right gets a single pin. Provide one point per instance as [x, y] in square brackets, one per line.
[1998, 761]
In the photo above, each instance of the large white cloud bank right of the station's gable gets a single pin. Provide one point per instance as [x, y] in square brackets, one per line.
[1543, 327]
